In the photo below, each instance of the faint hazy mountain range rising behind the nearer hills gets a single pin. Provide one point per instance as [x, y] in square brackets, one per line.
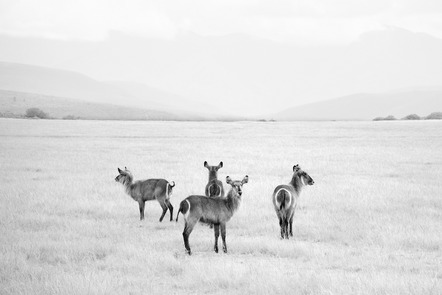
[247, 75]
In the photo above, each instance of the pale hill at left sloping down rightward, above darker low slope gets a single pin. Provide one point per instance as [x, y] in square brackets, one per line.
[43, 82]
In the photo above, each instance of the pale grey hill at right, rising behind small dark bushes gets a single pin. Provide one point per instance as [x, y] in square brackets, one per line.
[366, 106]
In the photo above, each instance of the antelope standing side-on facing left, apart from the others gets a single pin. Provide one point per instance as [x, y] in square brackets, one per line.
[147, 190]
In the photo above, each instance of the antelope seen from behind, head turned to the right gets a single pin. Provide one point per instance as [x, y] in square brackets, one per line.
[285, 199]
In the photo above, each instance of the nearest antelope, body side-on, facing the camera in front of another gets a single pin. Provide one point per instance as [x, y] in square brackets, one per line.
[216, 211]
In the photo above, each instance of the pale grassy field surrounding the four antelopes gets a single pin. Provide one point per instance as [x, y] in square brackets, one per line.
[371, 224]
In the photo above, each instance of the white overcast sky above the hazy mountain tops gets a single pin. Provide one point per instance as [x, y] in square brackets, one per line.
[303, 22]
